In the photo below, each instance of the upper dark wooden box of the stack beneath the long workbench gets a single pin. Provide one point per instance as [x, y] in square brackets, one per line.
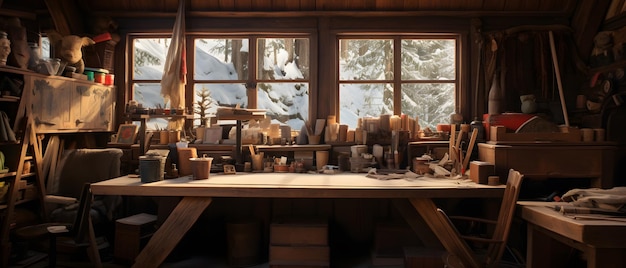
[296, 232]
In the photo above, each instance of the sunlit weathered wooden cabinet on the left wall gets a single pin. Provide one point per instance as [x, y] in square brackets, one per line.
[62, 104]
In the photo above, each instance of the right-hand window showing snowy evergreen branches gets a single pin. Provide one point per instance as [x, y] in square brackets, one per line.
[412, 75]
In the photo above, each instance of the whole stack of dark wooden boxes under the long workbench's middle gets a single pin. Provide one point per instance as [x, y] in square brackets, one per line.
[299, 243]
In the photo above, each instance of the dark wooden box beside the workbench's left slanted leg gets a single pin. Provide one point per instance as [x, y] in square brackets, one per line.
[131, 234]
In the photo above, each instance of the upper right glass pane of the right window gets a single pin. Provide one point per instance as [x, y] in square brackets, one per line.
[428, 59]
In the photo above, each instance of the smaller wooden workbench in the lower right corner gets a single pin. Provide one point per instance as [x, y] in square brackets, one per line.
[551, 236]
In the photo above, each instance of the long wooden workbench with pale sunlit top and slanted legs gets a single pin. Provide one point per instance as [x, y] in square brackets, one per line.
[197, 195]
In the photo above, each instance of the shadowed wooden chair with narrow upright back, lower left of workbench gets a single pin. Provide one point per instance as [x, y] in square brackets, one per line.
[76, 235]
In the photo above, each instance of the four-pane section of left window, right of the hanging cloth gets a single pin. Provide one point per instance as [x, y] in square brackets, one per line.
[280, 75]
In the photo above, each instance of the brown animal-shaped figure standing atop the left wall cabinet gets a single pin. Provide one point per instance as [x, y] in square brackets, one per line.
[69, 49]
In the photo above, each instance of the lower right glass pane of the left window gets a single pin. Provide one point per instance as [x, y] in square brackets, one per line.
[286, 103]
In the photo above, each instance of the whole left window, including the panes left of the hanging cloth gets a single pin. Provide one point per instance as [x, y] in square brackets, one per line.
[224, 76]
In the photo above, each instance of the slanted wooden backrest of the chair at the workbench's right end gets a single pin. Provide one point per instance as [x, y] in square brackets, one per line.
[505, 216]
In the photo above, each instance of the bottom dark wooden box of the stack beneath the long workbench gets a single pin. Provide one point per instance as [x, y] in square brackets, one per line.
[318, 256]
